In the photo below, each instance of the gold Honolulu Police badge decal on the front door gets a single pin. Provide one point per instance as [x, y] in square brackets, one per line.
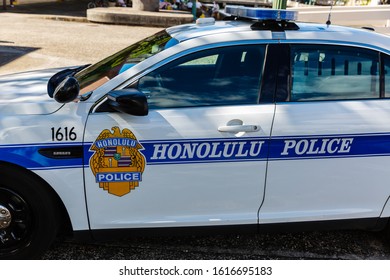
[117, 162]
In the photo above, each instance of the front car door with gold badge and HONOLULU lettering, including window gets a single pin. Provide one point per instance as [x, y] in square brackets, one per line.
[199, 156]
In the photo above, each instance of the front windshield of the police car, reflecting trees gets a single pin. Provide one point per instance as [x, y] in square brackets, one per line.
[103, 71]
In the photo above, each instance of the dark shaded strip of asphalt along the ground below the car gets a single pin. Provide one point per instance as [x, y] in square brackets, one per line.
[333, 245]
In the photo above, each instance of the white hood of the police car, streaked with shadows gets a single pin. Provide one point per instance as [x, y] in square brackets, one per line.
[26, 93]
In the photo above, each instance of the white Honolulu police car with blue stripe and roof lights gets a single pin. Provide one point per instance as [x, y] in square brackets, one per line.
[256, 122]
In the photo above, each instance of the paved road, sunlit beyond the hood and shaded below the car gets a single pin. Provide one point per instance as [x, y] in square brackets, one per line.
[29, 42]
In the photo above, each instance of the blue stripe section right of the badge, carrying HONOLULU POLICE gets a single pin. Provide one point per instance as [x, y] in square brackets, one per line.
[276, 148]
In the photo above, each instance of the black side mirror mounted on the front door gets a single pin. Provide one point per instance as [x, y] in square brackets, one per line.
[129, 101]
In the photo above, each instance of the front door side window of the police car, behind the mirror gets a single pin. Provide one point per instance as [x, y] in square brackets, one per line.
[214, 77]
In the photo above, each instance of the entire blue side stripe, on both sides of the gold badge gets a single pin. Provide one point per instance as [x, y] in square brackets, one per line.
[188, 151]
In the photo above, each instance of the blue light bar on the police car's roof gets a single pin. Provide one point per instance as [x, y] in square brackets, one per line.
[261, 13]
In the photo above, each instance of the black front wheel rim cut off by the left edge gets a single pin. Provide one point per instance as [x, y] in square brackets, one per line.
[16, 222]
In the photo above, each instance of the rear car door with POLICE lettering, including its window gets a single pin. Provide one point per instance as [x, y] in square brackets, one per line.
[329, 152]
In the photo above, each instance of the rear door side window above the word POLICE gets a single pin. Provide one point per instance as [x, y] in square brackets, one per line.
[324, 72]
